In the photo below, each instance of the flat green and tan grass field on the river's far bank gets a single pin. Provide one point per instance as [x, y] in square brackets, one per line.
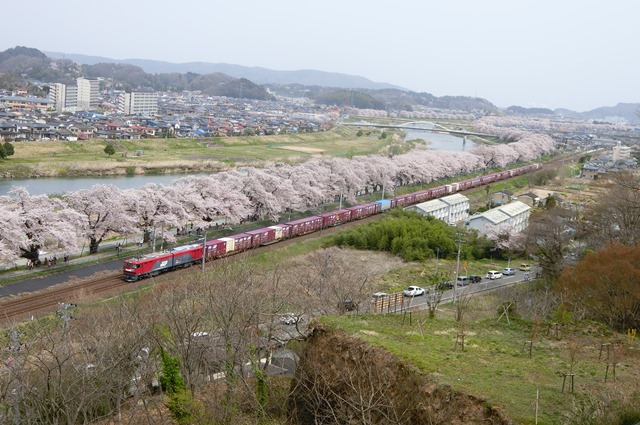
[60, 158]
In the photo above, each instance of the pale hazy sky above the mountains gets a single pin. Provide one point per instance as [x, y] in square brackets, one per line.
[577, 54]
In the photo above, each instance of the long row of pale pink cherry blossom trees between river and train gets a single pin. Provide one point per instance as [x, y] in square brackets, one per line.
[59, 224]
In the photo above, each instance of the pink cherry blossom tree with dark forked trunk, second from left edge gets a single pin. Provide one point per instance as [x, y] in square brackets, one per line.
[103, 211]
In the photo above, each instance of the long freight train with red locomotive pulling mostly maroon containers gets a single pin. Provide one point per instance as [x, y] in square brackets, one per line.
[186, 255]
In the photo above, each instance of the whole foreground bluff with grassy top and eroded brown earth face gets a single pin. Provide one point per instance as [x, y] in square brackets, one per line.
[493, 380]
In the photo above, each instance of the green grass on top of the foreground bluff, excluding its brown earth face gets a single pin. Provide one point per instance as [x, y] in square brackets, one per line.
[495, 366]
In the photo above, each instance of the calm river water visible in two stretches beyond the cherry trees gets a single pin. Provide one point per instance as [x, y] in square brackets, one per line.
[59, 185]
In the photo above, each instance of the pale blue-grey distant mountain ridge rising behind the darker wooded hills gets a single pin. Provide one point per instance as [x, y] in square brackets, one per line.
[256, 74]
